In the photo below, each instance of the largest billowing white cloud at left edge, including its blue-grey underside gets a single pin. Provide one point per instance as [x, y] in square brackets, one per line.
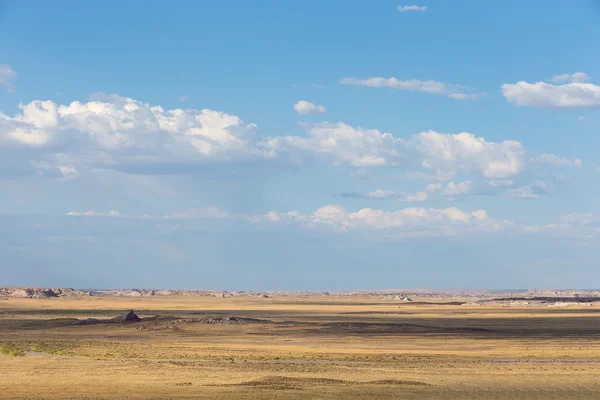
[120, 132]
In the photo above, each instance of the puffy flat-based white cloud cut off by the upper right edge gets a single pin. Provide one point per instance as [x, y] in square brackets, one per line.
[574, 94]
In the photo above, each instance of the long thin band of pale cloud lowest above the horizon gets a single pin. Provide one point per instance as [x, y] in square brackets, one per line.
[412, 222]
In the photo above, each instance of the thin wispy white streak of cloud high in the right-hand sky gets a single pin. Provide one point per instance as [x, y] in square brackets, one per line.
[433, 87]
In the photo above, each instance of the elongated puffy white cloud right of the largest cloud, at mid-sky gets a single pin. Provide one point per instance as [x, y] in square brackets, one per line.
[428, 151]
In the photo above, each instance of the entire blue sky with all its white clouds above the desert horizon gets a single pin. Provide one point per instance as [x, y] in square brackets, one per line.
[300, 145]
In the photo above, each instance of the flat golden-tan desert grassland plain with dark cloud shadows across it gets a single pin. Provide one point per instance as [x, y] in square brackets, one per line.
[301, 348]
